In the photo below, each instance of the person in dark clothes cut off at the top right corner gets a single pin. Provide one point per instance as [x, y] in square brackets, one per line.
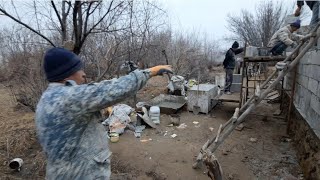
[314, 6]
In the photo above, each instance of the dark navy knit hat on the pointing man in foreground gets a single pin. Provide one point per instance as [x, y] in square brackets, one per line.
[60, 63]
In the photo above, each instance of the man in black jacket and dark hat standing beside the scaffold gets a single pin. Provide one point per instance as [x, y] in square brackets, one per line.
[229, 64]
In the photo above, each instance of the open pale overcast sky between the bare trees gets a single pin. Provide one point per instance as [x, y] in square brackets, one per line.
[208, 16]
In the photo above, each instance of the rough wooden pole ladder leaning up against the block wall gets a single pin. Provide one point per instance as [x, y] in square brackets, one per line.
[206, 152]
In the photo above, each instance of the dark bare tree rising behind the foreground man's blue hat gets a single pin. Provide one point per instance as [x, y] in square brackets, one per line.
[78, 19]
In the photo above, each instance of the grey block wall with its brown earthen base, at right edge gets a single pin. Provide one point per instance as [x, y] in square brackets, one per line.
[305, 123]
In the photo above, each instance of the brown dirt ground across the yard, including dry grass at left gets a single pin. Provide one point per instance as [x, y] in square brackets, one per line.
[159, 156]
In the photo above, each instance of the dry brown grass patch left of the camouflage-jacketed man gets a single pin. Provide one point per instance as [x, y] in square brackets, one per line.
[18, 139]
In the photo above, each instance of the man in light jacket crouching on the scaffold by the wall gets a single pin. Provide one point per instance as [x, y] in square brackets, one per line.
[284, 38]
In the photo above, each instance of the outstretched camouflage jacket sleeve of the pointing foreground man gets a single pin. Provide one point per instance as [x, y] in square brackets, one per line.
[96, 96]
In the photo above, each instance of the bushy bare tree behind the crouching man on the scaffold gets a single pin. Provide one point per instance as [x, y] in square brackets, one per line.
[257, 28]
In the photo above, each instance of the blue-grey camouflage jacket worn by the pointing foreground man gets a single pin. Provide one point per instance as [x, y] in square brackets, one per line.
[69, 125]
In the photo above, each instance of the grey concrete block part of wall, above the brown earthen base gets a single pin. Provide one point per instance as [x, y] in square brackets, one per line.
[307, 94]
